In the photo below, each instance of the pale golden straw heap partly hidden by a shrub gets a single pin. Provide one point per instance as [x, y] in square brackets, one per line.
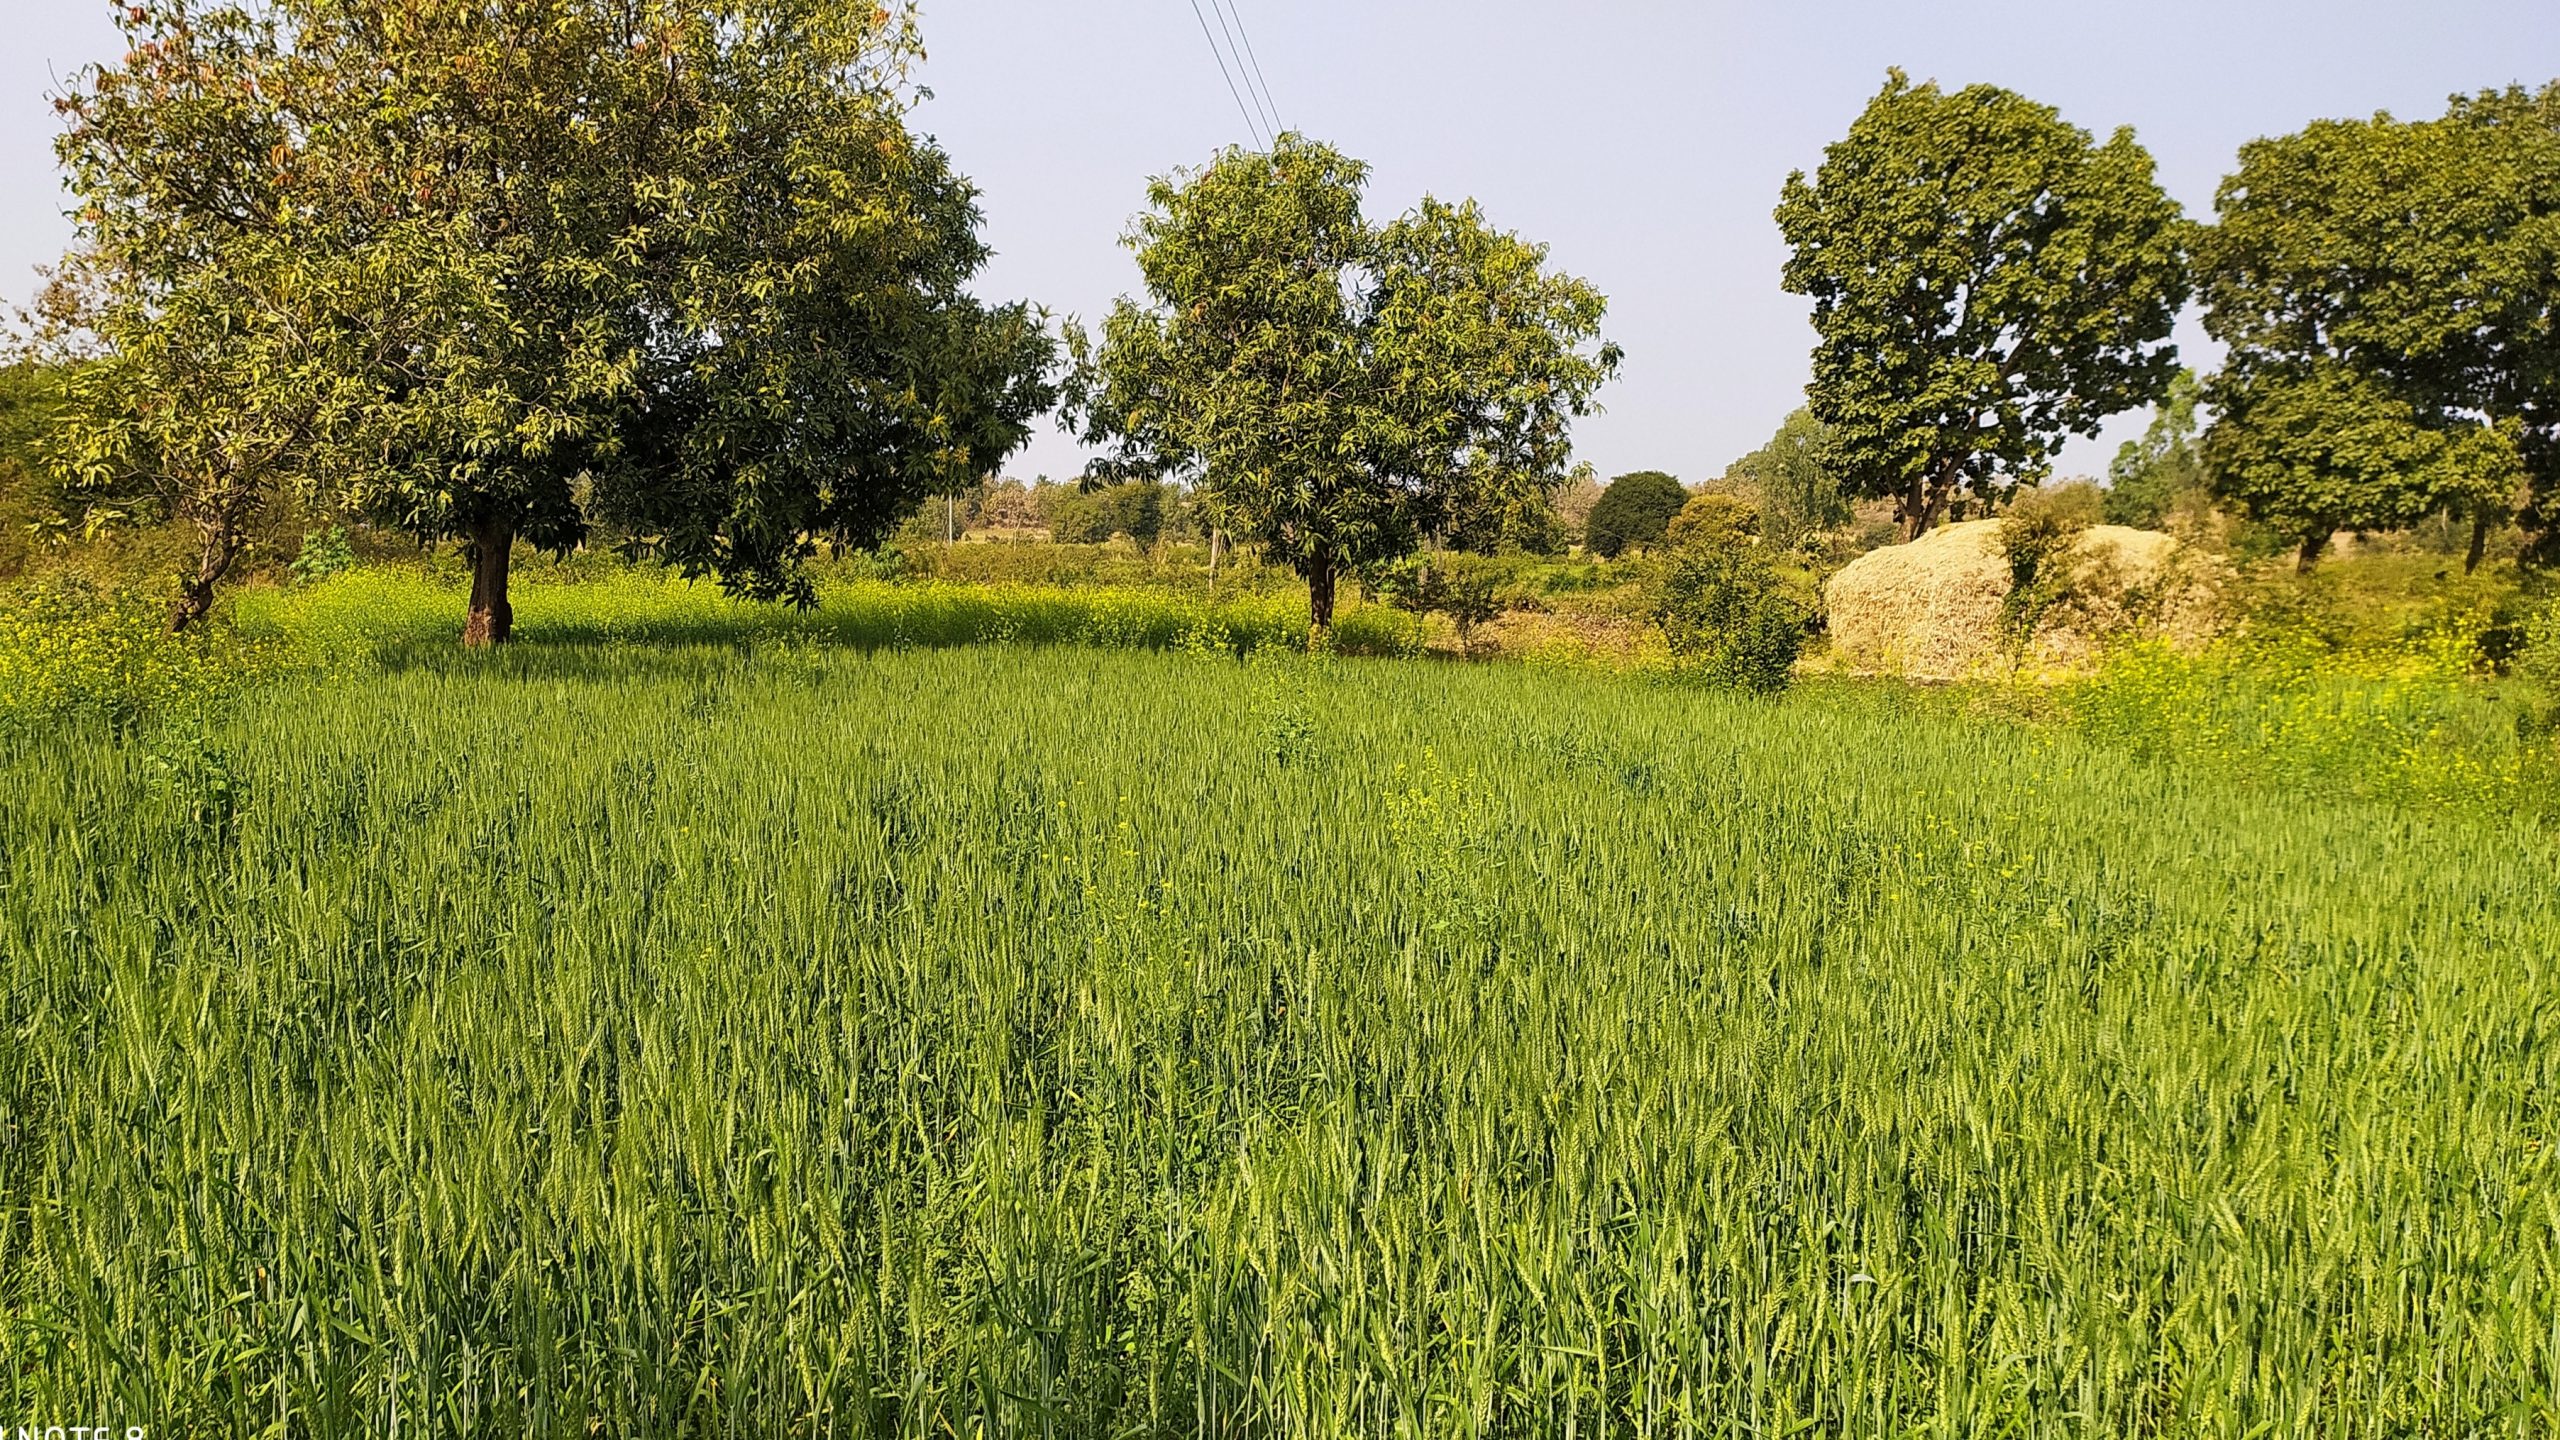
[1934, 609]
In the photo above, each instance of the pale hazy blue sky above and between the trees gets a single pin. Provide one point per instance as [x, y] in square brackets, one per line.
[1645, 142]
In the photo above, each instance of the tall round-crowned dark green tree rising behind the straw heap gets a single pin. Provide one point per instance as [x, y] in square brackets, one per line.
[1985, 281]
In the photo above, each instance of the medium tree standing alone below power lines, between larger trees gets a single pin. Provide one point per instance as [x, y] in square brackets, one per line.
[1338, 391]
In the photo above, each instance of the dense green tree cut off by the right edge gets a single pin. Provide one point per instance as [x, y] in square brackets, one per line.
[2390, 299]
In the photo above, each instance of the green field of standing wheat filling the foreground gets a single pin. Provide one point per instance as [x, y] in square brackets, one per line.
[680, 1039]
